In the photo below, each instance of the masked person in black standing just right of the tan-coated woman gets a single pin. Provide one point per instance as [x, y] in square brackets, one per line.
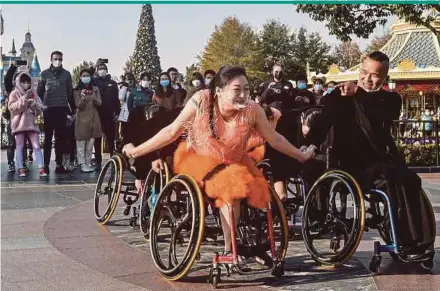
[108, 111]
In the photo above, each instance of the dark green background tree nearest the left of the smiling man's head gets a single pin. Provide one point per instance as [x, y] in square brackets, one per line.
[310, 48]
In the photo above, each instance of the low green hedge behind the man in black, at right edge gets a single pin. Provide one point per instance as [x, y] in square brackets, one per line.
[419, 155]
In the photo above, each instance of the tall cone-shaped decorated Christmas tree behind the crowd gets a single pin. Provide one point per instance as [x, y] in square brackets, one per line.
[145, 58]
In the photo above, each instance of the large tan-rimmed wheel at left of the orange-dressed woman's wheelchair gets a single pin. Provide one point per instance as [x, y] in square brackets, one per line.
[176, 227]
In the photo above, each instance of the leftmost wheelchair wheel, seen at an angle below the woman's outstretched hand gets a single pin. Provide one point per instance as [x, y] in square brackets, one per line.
[108, 189]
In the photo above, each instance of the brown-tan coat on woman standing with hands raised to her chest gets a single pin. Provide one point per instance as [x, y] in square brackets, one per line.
[88, 123]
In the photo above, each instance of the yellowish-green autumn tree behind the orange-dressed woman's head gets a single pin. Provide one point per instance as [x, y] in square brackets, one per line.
[233, 43]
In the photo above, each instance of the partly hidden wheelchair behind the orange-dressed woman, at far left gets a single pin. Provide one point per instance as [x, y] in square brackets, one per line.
[112, 183]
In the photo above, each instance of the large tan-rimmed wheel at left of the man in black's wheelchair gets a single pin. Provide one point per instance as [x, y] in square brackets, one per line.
[333, 218]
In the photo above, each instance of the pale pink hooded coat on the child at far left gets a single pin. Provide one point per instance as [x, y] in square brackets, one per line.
[23, 110]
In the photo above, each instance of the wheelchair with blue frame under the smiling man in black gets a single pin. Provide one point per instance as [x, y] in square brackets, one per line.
[336, 215]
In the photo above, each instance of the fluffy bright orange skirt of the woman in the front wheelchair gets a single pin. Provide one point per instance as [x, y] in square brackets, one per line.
[240, 180]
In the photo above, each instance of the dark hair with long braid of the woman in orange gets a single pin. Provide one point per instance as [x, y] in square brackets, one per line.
[225, 75]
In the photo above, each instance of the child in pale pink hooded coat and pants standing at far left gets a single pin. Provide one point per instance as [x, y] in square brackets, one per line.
[24, 106]
